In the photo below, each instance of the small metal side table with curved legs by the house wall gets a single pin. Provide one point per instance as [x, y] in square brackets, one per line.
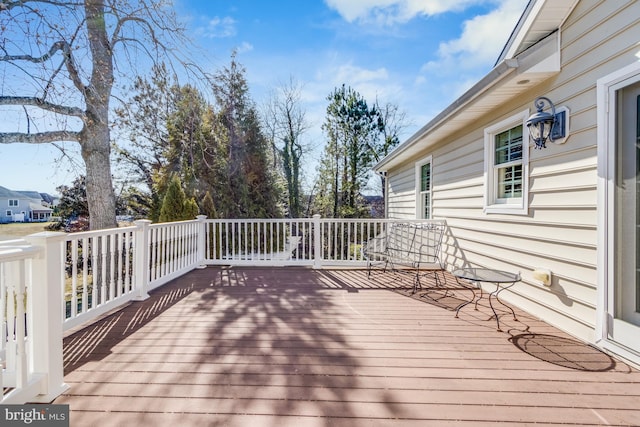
[502, 279]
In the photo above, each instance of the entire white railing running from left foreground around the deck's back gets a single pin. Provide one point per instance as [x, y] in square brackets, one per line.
[72, 279]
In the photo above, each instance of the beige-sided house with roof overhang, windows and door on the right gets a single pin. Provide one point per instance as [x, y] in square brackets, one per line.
[572, 207]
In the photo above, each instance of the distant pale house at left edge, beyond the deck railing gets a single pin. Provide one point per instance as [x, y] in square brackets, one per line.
[23, 206]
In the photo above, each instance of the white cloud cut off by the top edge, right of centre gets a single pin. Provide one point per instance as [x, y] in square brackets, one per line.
[392, 11]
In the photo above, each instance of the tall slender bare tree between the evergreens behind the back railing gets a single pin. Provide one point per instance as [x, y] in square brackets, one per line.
[285, 122]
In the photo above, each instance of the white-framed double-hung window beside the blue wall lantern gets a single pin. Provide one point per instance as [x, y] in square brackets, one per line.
[506, 166]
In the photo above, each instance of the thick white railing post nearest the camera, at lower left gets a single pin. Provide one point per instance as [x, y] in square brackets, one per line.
[47, 313]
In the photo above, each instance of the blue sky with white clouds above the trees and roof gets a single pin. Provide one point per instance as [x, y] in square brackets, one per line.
[418, 54]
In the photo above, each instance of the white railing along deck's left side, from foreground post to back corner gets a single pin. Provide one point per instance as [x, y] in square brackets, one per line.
[106, 269]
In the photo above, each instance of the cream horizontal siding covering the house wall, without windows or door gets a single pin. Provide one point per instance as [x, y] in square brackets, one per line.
[560, 231]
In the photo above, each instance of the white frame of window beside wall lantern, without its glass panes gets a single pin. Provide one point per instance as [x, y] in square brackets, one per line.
[492, 203]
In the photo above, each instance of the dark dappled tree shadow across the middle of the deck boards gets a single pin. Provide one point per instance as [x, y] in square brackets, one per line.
[280, 344]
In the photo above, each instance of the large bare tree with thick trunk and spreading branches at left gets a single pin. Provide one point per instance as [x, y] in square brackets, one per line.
[60, 59]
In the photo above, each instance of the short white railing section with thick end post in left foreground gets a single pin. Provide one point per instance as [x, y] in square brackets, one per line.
[31, 328]
